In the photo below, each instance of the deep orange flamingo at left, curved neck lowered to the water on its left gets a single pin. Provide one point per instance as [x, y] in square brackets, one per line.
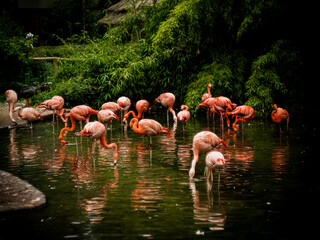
[79, 113]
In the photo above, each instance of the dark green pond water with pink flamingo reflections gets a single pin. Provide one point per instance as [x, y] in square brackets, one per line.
[267, 189]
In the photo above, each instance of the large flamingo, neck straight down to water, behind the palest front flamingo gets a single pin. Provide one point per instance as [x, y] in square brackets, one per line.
[203, 141]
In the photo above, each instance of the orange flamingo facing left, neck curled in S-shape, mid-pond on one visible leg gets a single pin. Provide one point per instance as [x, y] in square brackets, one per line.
[147, 127]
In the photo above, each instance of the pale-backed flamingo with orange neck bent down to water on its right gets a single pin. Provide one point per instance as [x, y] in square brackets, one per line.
[96, 130]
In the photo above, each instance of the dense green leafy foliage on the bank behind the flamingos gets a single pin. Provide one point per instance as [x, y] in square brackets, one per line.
[254, 52]
